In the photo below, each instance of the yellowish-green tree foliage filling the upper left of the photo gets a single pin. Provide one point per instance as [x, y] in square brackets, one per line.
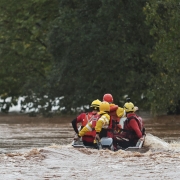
[25, 61]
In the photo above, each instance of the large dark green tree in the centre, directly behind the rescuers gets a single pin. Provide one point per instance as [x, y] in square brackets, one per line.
[100, 46]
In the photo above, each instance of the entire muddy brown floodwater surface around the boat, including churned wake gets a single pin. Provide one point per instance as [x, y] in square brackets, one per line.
[40, 148]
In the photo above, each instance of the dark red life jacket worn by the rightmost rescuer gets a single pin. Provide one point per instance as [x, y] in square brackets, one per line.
[131, 134]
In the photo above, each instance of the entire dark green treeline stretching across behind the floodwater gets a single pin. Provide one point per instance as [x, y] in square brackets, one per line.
[80, 50]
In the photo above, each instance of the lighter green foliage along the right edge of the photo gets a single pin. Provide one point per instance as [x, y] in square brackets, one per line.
[163, 16]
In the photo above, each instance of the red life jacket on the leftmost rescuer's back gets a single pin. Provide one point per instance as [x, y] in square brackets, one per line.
[90, 118]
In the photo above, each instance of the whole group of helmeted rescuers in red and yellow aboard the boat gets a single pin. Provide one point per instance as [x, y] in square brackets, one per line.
[104, 121]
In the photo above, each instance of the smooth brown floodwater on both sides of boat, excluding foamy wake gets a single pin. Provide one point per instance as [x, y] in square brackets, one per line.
[22, 132]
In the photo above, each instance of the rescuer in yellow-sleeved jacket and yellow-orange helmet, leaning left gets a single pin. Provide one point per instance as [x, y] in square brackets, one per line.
[101, 124]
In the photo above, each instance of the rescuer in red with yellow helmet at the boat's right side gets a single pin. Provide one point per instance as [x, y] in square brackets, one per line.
[133, 128]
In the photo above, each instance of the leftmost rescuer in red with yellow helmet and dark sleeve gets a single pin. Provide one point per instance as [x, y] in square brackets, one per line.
[84, 119]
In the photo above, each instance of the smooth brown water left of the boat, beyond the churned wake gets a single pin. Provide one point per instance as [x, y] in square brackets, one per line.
[18, 132]
